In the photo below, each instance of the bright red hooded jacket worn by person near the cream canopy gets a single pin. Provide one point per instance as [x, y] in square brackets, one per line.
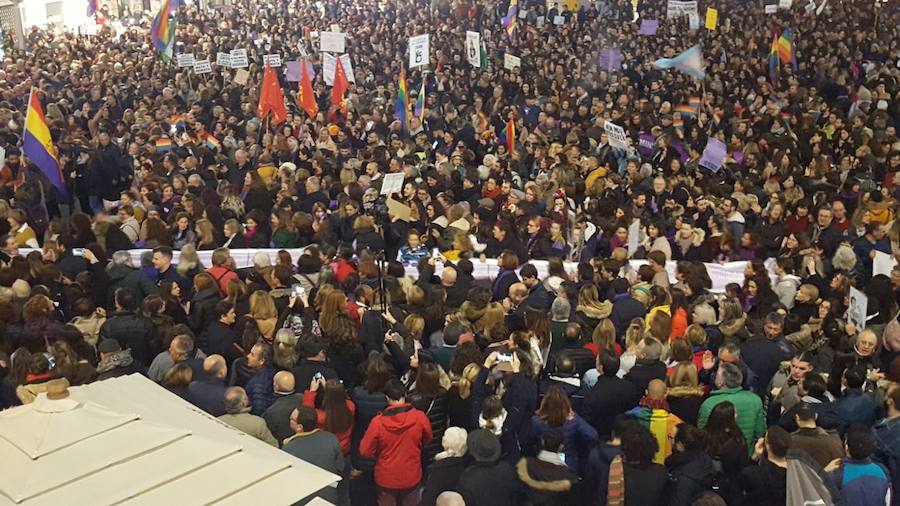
[395, 439]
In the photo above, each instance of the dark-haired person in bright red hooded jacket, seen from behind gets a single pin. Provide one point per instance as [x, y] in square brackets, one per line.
[395, 439]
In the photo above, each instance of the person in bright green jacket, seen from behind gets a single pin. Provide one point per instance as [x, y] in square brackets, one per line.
[747, 405]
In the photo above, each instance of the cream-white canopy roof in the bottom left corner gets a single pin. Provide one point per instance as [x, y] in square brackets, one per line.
[129, 441]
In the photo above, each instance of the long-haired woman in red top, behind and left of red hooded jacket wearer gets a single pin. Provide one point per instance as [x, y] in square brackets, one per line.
[334, 411]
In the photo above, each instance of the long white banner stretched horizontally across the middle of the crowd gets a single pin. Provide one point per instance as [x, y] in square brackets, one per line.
[720, 274]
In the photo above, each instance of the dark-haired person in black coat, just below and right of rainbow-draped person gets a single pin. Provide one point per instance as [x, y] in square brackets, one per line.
[691, 470]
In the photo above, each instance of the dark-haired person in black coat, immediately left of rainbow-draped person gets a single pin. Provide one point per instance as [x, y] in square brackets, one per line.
[609, 397]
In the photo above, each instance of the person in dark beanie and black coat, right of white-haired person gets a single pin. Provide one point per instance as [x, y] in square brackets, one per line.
[488, 480]
